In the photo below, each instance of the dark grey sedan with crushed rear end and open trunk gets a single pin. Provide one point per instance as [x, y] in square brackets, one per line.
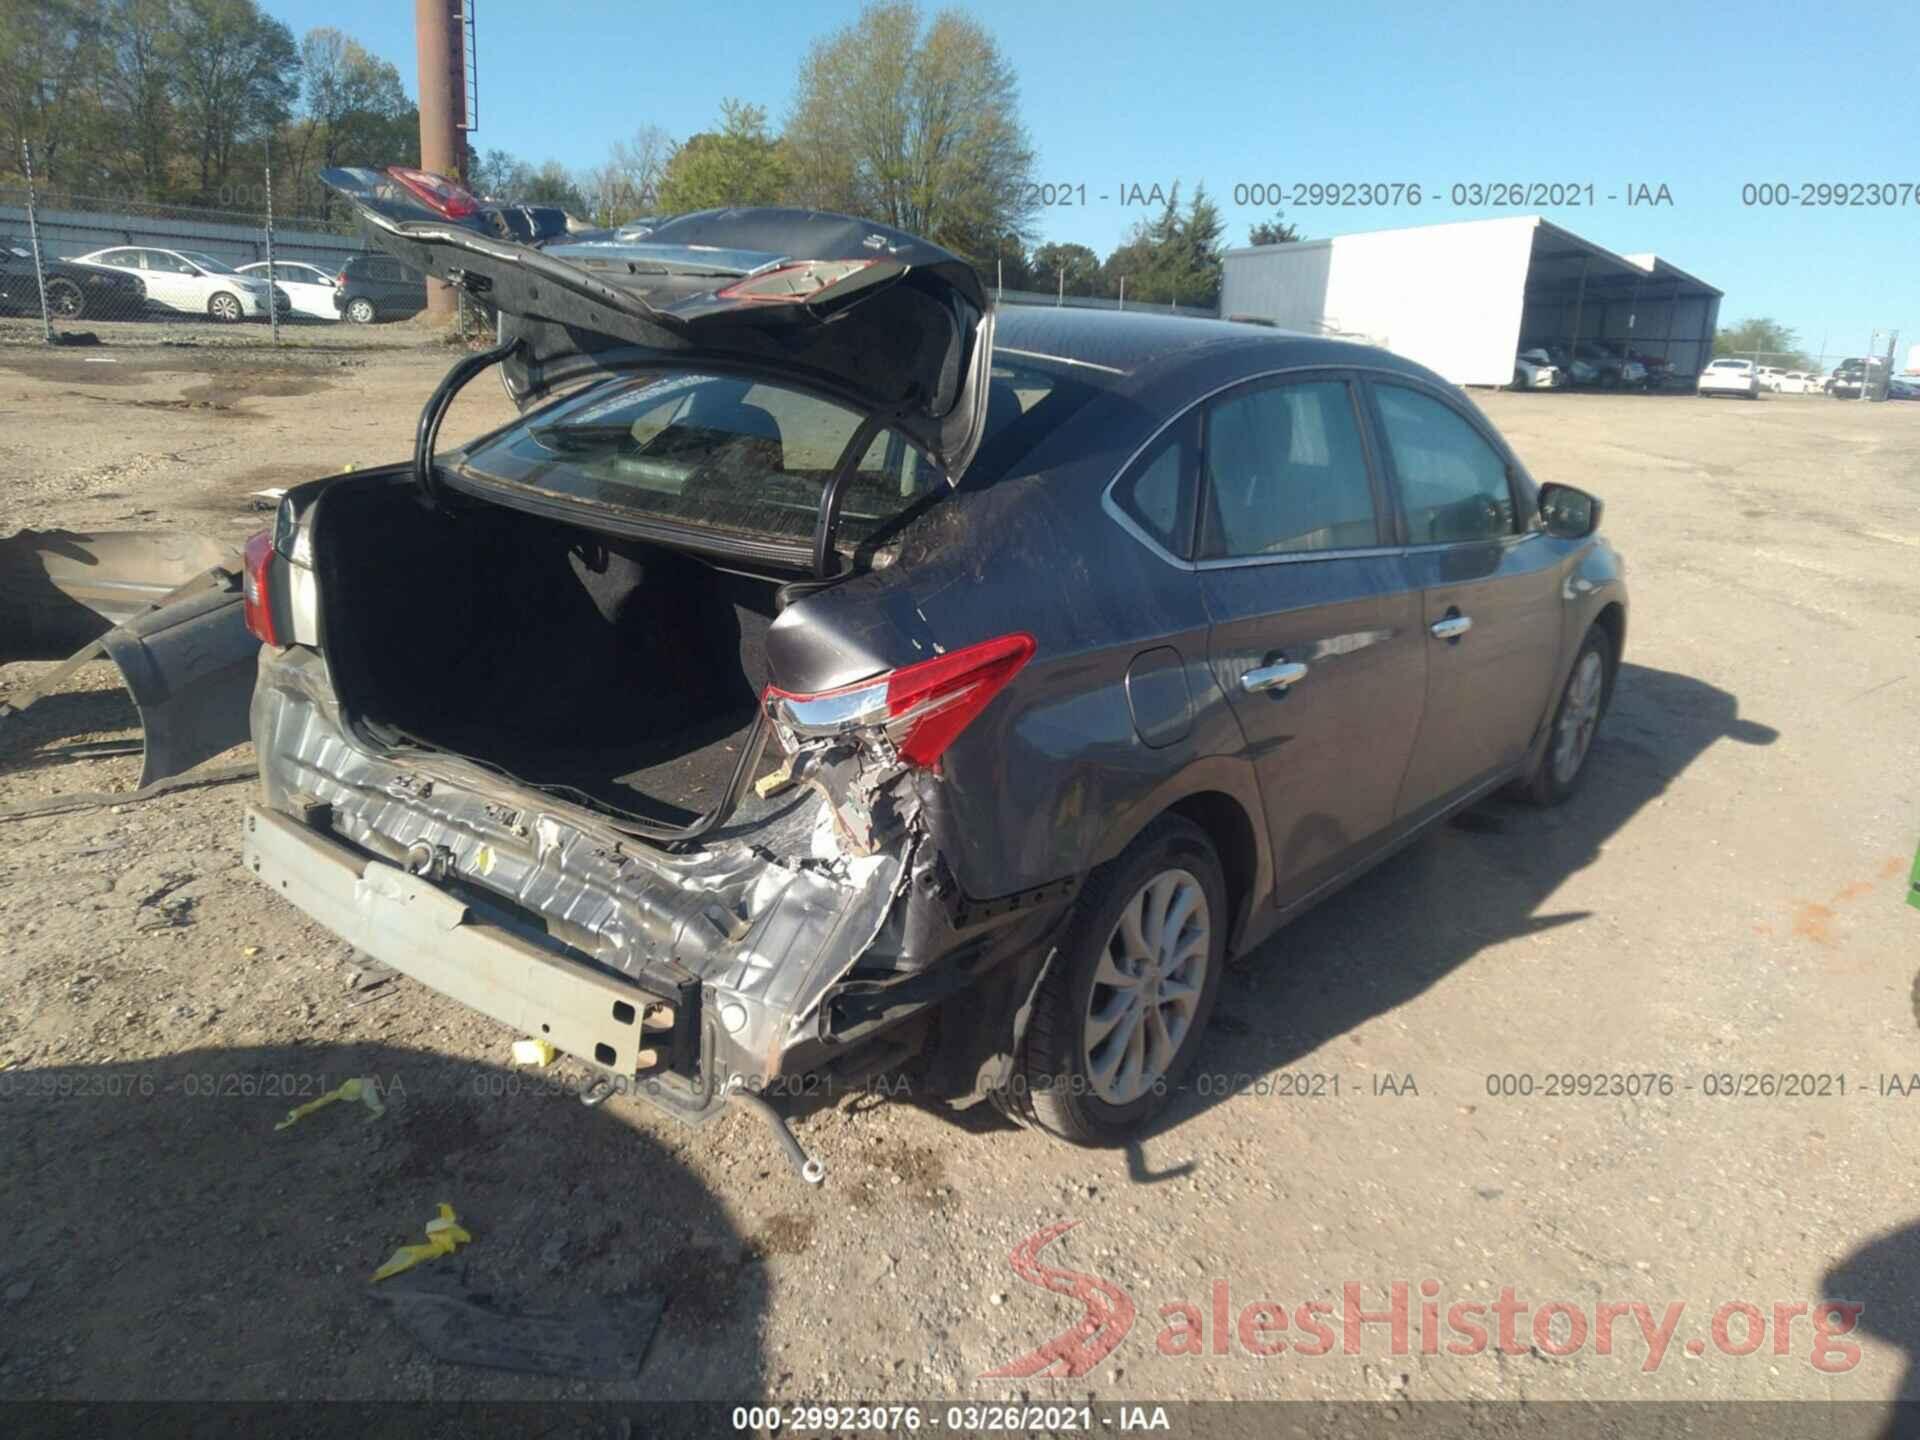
[848, 677]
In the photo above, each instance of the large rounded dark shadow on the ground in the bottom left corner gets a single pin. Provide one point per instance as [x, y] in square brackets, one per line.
[164, 1241]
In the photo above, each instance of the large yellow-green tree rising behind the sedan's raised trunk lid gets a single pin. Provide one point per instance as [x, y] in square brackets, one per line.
[917, 126]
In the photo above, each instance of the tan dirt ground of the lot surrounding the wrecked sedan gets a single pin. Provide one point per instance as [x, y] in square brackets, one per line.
[1721, 901]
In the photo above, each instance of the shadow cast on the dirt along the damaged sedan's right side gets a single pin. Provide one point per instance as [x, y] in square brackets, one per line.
[1477, 882]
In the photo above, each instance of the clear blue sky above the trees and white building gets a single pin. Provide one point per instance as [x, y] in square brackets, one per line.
[1696, 97]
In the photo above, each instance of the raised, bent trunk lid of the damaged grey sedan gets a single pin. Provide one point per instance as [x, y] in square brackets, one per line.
[884, 322]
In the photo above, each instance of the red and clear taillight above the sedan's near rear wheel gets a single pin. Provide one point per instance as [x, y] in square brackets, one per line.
[921, 708]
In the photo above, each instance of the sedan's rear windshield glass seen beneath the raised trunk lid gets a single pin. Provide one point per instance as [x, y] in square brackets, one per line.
[713, 452]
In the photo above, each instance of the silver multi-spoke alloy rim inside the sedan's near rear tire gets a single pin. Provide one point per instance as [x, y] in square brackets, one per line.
[1147, 988]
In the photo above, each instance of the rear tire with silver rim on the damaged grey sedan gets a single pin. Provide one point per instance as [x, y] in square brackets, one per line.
[1124, 1009]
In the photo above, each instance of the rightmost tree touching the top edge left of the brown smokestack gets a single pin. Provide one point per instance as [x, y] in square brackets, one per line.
[237, 80]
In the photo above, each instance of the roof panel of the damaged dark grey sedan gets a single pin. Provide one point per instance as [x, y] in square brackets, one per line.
[1130, 343]
